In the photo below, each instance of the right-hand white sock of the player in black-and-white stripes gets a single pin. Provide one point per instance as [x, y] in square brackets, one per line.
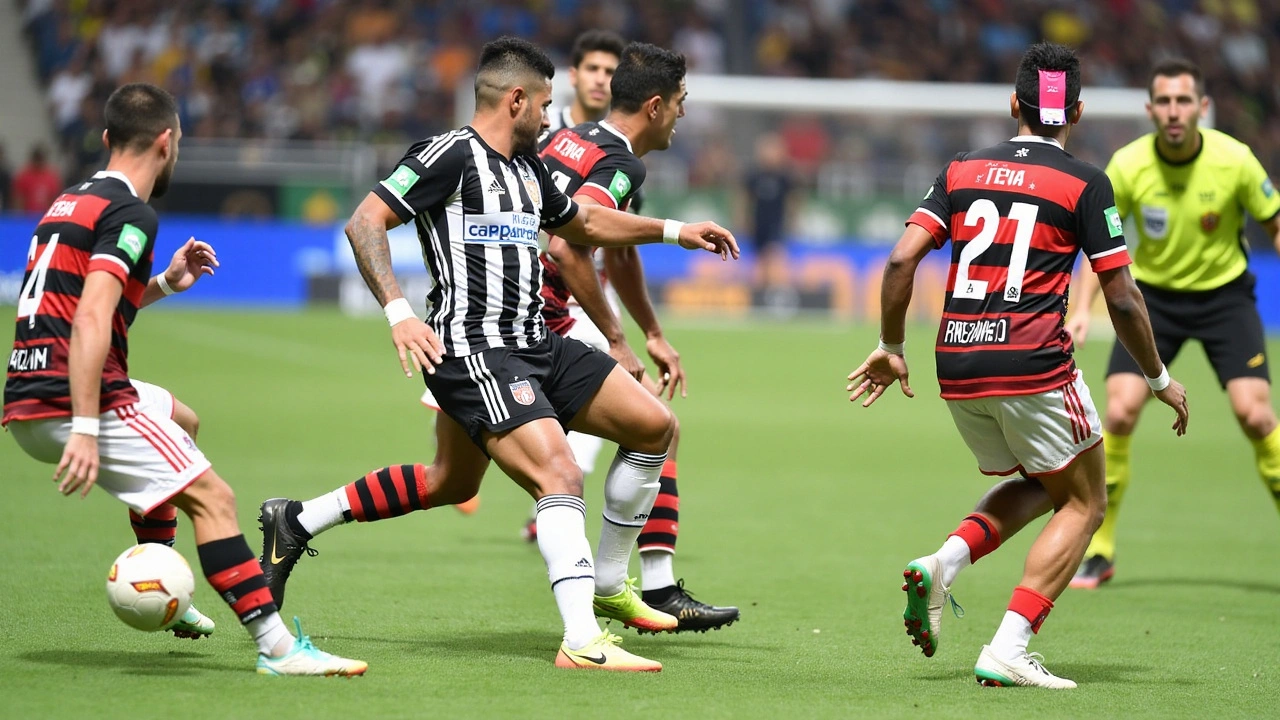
[630, 490]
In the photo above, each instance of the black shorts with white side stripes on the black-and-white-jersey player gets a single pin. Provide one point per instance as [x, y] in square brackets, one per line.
[499, 390]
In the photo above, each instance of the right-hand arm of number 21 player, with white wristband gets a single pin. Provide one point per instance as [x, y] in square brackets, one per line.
[1133, 329]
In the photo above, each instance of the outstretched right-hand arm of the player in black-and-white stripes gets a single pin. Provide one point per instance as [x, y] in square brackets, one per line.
[606, 227]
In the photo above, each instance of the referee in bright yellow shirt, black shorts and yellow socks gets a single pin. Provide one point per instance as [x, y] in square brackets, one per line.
[1188, 189]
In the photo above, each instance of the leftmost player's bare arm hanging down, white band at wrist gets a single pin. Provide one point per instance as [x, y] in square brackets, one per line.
[92, 340]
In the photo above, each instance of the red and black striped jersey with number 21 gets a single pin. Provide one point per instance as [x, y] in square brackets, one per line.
[1018, 215]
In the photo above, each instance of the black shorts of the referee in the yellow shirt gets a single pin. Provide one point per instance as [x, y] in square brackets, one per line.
[1224, 320]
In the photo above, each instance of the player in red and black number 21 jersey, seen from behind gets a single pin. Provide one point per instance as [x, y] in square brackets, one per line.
[1018, 215]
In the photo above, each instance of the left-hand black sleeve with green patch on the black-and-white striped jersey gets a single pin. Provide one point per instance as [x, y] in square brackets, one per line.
[428, 176]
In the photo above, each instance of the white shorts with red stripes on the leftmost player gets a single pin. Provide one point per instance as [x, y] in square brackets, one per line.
[145, 458]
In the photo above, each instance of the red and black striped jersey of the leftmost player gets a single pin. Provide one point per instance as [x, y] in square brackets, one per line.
[99, 225]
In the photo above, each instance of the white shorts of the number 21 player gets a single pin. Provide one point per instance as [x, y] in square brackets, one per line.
[1035, 435]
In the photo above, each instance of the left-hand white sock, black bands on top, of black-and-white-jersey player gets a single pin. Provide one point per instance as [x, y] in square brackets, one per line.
[563, 541]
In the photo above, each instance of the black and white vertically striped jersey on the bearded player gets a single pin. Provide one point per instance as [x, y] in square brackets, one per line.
[478, 217]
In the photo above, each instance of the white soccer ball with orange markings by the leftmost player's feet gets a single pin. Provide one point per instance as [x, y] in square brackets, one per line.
[150, 587]
